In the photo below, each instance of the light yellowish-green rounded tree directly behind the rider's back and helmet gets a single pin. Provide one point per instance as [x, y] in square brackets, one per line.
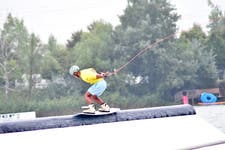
[95, 47]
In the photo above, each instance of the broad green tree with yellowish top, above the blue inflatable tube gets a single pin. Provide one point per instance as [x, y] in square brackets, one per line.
[197, 67]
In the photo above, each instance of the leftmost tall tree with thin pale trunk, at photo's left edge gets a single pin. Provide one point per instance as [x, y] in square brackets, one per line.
[13, 39]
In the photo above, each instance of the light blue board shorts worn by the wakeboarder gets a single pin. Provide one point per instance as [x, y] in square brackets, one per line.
[98, 88]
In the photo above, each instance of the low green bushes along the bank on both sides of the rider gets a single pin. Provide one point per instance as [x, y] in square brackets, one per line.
[68, 105]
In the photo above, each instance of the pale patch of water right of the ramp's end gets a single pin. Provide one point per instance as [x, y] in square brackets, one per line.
[214, 114]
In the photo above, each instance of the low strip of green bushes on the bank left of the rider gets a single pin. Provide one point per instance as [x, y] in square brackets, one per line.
[48, 107]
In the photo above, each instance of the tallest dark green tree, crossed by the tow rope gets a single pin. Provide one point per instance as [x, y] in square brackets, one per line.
[143, 23]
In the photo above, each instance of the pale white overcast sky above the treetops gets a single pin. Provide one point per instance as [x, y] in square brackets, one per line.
[63, 17]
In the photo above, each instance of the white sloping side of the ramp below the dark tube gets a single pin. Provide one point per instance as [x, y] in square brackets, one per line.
[170, 133]
